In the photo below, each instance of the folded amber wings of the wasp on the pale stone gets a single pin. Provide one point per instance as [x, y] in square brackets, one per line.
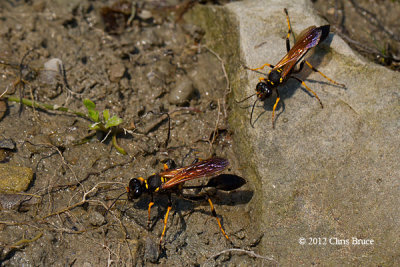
[307, 39]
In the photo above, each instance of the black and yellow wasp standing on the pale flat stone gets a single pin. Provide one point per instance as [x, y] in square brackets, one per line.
[284, 69]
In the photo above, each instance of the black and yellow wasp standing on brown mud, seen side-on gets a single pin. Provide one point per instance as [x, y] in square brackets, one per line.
[172, 181]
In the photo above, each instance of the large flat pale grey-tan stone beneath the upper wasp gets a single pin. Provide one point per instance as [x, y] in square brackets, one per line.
[330, 173]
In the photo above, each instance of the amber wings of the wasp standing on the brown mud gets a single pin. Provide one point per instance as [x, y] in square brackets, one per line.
[202, 169]
